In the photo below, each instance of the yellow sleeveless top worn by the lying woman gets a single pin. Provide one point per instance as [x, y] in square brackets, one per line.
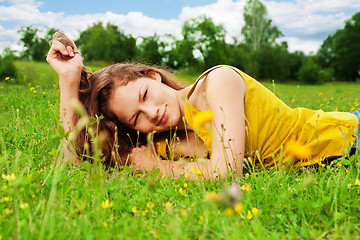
[272, 128]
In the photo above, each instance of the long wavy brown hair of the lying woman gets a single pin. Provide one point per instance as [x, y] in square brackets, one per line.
[95, 92]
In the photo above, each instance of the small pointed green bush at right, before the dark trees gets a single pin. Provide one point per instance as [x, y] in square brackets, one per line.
[309, 73]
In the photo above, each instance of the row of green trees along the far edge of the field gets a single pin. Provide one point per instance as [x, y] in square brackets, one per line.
[202, 45]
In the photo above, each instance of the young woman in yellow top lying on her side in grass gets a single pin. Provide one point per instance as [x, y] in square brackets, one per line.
[249, 122]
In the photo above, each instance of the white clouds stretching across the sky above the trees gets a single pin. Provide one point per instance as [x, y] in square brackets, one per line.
[305, 23]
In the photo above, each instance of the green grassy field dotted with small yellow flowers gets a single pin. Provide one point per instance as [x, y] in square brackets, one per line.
[44, 197]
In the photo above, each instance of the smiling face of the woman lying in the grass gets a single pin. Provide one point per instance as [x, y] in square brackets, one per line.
[147, 105]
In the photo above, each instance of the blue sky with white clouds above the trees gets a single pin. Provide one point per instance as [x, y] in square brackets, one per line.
[304, 23]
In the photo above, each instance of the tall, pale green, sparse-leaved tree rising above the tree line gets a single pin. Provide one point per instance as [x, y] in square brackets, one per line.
[258, 29]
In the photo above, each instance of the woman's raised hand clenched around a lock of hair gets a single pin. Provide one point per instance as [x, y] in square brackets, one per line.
[65, 59]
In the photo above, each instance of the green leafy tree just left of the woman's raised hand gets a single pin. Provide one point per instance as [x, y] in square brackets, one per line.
[35, 46]
